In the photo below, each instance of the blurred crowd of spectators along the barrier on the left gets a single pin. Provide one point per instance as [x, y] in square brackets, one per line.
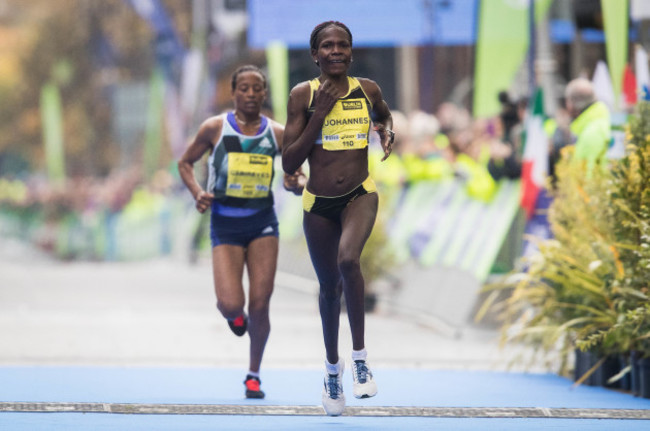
[40, 211]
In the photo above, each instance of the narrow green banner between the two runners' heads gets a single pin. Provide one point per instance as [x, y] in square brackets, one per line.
[277, 57]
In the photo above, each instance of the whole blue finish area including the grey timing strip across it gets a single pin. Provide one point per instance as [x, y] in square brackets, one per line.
[136, 398]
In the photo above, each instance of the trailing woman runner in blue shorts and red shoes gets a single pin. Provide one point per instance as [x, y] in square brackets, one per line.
[244, 226]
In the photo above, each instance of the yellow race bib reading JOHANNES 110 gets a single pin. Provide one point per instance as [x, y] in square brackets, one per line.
[346, 126]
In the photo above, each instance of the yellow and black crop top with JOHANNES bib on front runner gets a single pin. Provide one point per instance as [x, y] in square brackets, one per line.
[347, 126]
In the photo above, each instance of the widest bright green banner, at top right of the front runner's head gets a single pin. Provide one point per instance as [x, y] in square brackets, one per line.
[501, 46]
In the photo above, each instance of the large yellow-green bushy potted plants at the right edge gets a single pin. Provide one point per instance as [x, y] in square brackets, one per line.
[587, 289]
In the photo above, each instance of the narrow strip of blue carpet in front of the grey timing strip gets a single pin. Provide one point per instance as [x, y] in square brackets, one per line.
[103, 422]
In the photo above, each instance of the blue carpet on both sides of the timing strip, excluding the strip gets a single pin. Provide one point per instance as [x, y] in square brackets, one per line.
[412, 387]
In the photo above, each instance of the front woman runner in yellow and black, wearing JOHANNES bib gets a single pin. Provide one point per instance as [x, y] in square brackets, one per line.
[328, 124]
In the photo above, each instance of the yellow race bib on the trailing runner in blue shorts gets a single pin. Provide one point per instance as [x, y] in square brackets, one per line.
[249, 175]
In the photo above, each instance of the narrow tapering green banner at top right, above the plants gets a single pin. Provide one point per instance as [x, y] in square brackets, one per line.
[615, 18]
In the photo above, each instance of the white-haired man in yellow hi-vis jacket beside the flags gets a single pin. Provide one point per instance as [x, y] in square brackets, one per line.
[591, 123]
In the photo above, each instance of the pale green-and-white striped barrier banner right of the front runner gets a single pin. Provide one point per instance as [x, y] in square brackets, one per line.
[438, 223]
